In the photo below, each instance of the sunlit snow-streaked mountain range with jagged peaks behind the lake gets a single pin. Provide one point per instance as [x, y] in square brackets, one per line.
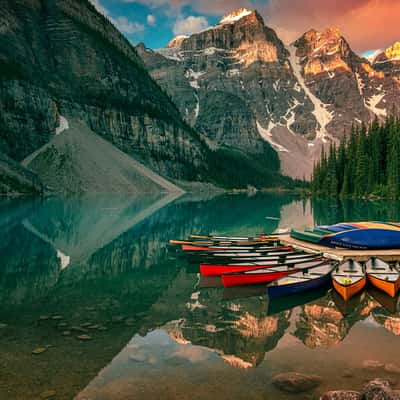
[296, 98]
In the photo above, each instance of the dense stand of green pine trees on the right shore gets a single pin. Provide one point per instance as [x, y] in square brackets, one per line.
[367, 163]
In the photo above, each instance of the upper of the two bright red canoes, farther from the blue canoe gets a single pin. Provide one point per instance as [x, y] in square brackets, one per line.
[220, 269]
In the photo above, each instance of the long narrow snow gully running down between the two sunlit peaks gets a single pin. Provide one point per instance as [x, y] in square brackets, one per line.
[320, 112]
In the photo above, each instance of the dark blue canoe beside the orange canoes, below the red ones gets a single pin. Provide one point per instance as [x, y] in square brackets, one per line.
[313, 277]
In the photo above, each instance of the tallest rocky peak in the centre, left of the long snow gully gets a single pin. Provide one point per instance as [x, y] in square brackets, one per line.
[235, 71]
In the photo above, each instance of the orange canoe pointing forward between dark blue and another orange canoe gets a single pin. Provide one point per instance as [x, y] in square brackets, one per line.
[348, 279]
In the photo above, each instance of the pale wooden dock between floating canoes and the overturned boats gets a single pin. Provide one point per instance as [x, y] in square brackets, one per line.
[341, 254]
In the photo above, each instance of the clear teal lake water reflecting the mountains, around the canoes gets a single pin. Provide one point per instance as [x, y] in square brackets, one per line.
[99, 267]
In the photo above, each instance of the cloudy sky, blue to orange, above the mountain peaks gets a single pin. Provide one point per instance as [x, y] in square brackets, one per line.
[368, 25]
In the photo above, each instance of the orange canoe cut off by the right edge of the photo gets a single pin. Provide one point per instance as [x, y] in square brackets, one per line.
[383, 276]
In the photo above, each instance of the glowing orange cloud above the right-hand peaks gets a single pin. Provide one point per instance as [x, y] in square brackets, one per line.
[366, 24]
